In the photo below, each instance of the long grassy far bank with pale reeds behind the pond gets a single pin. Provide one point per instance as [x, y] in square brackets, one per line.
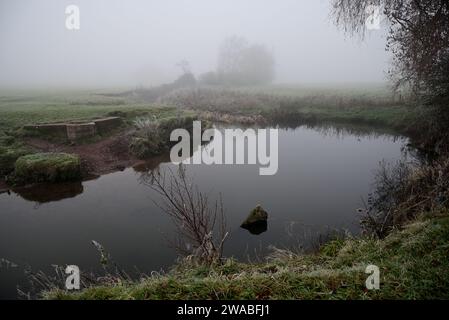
[290, 105]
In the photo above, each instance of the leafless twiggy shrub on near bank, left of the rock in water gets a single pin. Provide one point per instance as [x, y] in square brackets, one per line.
[199, 222]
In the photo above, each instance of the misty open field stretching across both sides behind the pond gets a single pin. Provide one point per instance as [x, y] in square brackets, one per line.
[373, 103]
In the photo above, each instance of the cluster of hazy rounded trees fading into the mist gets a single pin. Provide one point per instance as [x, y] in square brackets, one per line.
[241, 63]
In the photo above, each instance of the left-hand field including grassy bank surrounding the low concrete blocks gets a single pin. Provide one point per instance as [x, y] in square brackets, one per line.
[18, 109]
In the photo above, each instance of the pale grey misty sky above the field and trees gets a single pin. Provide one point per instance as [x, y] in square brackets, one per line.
[139, 42]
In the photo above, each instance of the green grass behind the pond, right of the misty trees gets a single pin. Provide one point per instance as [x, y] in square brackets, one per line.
[371, 104]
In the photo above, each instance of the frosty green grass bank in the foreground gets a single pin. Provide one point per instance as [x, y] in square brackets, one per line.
[413, 262]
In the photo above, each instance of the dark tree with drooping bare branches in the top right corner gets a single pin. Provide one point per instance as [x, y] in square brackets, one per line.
[418, 37]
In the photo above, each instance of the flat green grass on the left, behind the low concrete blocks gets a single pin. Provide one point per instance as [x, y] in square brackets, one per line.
[34, 107]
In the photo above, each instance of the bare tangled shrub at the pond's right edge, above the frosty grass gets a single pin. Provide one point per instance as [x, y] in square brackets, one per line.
[402, 192]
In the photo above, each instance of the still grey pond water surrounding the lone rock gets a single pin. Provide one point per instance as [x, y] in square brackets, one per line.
[323, 173]
